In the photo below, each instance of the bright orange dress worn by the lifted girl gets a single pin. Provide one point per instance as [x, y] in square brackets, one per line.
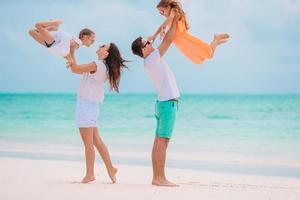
[190, 46]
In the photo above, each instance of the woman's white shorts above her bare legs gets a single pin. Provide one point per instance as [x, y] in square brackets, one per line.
[87, 114]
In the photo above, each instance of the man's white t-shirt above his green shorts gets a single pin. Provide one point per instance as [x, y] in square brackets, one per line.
[161, 76]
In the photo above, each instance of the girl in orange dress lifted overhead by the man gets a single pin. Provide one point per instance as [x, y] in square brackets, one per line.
[193, 48]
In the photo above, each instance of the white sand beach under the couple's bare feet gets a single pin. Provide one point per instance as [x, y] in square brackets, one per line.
[23, 179]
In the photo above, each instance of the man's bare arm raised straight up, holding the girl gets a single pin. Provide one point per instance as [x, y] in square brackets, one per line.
[168, 39]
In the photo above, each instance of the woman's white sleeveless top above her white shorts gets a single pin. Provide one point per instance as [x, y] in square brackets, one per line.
[91, 86]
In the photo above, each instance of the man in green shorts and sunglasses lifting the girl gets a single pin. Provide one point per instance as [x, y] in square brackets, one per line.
[167, 103]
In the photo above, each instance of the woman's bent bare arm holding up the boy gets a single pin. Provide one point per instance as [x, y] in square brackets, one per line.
[79, 69]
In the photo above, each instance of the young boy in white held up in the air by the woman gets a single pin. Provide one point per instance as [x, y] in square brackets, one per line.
[57, 41]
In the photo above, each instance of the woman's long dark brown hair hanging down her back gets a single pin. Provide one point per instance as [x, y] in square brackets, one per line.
[114, 65]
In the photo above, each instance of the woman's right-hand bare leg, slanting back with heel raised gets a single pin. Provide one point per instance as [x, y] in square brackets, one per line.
[103, 151]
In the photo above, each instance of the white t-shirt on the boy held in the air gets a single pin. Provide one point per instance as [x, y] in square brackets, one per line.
[61, 46]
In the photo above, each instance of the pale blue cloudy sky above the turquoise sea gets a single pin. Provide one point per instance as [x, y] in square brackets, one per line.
[263, 55]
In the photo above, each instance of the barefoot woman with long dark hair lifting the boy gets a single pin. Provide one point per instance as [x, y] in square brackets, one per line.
[109, 67]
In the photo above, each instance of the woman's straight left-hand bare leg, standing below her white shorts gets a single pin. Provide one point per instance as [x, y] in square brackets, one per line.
[87, 137]
